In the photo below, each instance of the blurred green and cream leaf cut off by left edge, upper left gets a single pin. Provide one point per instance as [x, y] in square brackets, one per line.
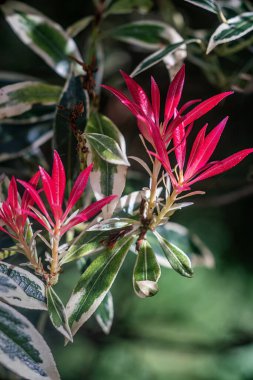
[18, 98]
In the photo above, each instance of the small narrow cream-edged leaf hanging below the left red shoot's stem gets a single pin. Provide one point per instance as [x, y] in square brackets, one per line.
[57, 313]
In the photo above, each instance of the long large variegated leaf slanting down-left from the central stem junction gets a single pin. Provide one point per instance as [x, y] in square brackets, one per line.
[95, 283]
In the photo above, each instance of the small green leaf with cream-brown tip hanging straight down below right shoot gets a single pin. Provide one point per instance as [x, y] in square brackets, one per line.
[147, 272]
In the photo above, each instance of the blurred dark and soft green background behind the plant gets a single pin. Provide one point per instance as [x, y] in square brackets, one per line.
[193, 329]
